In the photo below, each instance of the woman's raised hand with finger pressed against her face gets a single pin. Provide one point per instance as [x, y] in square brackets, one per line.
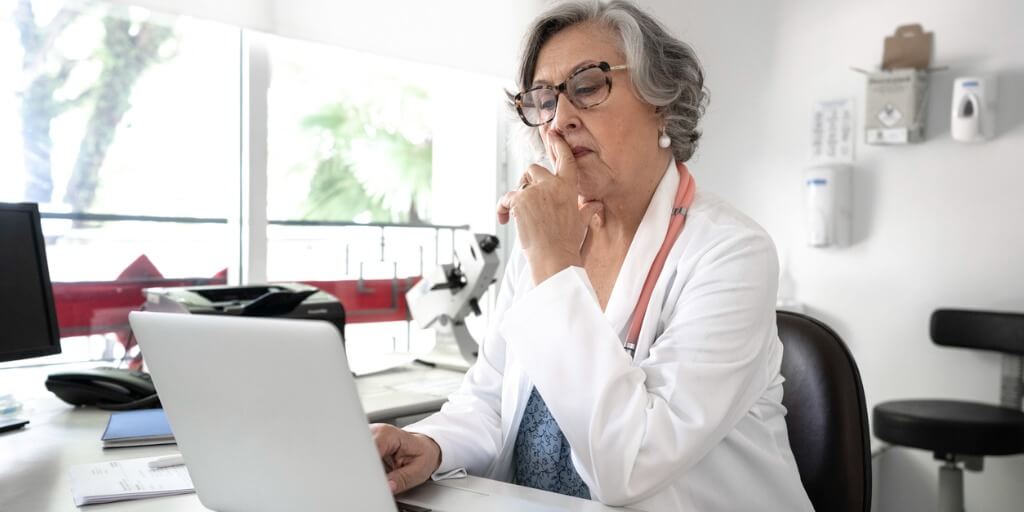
[550, 222]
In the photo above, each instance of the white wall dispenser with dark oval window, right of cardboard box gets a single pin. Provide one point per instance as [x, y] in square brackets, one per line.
[973, 110]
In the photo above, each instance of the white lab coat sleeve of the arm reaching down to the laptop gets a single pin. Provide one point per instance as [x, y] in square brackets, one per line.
[468, 426]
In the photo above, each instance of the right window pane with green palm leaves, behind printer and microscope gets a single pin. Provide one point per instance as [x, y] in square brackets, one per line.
[356, 140]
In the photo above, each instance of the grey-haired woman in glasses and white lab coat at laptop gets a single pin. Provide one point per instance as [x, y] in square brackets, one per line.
[633, 357]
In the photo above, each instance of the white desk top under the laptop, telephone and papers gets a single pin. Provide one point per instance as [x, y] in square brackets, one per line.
[35, 461]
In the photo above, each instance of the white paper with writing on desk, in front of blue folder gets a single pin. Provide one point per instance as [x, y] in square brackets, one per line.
[129, 480]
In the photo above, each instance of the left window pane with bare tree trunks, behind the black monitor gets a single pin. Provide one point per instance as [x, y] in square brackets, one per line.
[124, 127]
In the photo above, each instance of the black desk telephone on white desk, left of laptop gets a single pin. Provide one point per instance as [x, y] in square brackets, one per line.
[110, 389]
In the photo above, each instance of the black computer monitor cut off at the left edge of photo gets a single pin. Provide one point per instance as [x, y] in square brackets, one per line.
[28, 319]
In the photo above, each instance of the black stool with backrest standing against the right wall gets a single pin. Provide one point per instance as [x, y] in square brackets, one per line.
[964, 432]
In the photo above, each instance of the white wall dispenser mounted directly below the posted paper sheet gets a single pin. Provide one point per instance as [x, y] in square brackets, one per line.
[828, 194]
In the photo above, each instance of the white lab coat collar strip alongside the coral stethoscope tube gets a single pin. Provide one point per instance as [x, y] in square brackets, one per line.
[643, 251]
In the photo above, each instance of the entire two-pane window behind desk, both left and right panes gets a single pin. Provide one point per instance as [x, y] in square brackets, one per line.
[127, 130]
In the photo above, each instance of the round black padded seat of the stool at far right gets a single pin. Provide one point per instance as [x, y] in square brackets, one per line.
[951, 428]
